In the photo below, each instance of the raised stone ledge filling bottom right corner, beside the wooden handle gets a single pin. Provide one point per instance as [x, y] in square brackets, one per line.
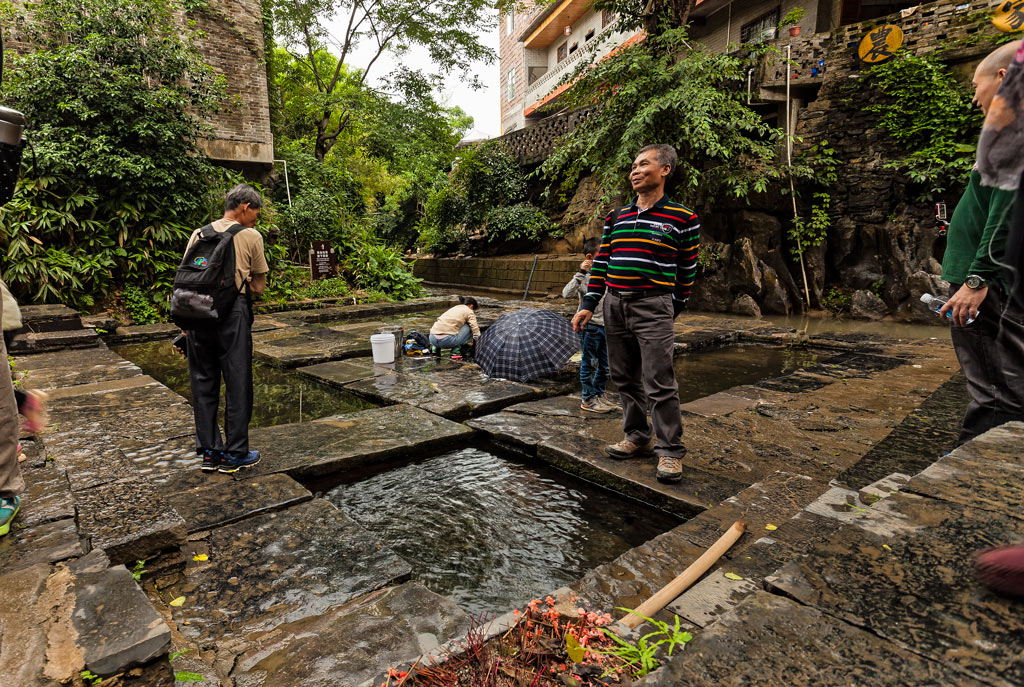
[881, 594]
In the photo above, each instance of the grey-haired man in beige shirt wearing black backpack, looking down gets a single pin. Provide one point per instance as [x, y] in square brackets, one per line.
[223, 271]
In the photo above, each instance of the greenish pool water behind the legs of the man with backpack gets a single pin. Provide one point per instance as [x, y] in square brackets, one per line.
[279, 397]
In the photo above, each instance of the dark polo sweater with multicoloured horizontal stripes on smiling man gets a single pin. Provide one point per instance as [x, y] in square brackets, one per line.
[654, 250]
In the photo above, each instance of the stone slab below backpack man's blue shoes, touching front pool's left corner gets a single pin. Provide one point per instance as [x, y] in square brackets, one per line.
[227, 502]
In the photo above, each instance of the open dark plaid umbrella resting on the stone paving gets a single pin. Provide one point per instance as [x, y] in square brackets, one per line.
[526, 345]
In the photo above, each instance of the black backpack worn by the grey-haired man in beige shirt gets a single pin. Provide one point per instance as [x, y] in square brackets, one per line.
[204, 286]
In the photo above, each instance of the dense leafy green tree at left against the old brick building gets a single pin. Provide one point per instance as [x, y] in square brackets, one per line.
[112, 91]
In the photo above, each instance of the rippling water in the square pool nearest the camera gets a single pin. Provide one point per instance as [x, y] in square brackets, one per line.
[494, 534]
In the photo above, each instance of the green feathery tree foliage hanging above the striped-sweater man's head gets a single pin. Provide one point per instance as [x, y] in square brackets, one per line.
[668, 91]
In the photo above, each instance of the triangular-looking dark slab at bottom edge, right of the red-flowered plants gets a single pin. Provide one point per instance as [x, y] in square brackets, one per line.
[770, 641]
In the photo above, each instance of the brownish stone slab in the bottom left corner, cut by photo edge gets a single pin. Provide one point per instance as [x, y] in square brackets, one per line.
[23, 631]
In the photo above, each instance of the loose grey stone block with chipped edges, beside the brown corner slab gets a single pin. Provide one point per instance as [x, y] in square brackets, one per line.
[117, 626]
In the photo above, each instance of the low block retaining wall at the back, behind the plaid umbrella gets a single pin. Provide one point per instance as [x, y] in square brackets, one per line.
[501, 274]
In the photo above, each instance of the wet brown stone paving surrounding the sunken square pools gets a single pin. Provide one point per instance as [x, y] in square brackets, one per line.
[856, 567]
